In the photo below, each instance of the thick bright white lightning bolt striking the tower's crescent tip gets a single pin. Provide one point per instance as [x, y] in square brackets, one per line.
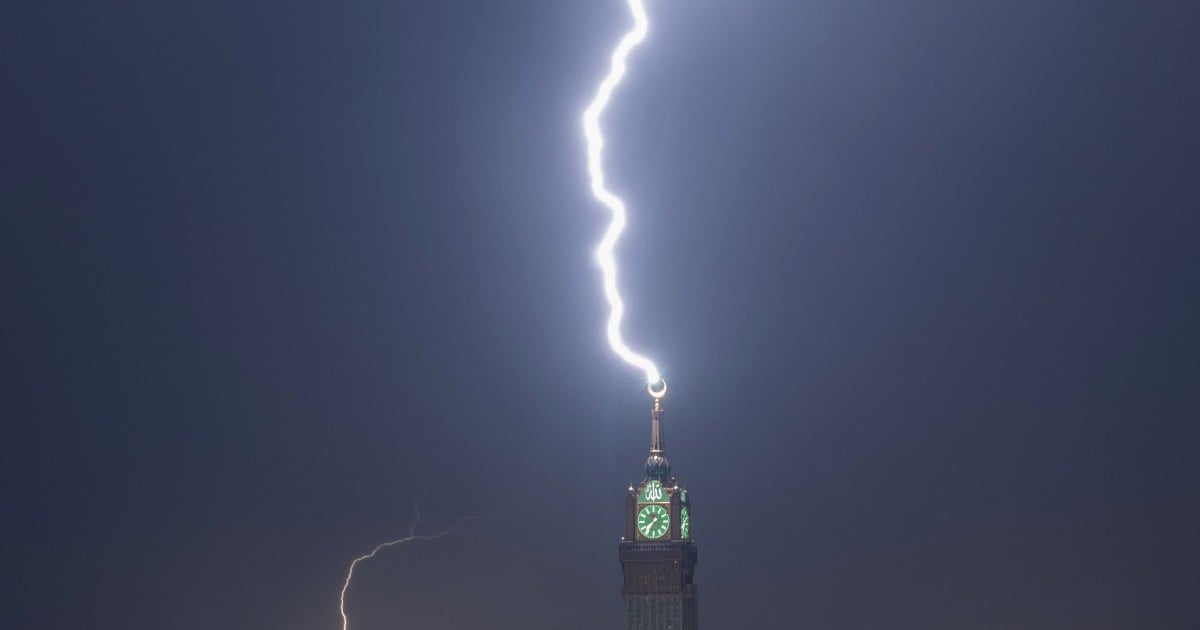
[617, 208]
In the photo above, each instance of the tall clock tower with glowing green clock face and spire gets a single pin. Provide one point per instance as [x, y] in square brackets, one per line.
[657, 554]
